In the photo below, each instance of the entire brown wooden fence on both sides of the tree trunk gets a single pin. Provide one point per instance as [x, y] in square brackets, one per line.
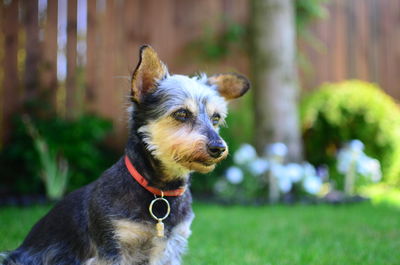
[80, 53]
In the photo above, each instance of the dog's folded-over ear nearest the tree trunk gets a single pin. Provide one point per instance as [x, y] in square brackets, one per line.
[230, 86]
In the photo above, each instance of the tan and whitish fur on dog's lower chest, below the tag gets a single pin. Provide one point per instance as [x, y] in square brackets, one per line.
[139, 242]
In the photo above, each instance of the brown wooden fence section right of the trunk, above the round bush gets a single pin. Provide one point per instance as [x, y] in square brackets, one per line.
[359, 39]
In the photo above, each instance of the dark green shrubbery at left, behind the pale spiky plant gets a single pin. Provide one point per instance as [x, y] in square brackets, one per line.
[79, 141]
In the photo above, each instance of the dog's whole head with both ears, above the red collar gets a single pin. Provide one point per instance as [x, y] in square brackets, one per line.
[180, 116]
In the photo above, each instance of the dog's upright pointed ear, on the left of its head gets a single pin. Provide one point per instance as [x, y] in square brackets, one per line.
[148, 72]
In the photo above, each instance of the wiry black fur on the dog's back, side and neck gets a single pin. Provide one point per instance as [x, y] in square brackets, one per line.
[80, 224]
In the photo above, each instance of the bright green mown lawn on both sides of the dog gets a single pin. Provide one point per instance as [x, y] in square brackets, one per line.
[302, 234]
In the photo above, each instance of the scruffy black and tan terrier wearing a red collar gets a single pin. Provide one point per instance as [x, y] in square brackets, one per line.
[139, 211]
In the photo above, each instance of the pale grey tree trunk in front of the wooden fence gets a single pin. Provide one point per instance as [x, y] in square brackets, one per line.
[275, 77]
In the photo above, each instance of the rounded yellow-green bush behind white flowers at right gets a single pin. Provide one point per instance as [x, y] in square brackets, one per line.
[339, 112]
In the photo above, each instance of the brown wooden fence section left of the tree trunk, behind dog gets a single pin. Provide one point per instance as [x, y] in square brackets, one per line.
[46, 48]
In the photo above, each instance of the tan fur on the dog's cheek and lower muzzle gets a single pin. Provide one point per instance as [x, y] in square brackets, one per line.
[179, 147]
